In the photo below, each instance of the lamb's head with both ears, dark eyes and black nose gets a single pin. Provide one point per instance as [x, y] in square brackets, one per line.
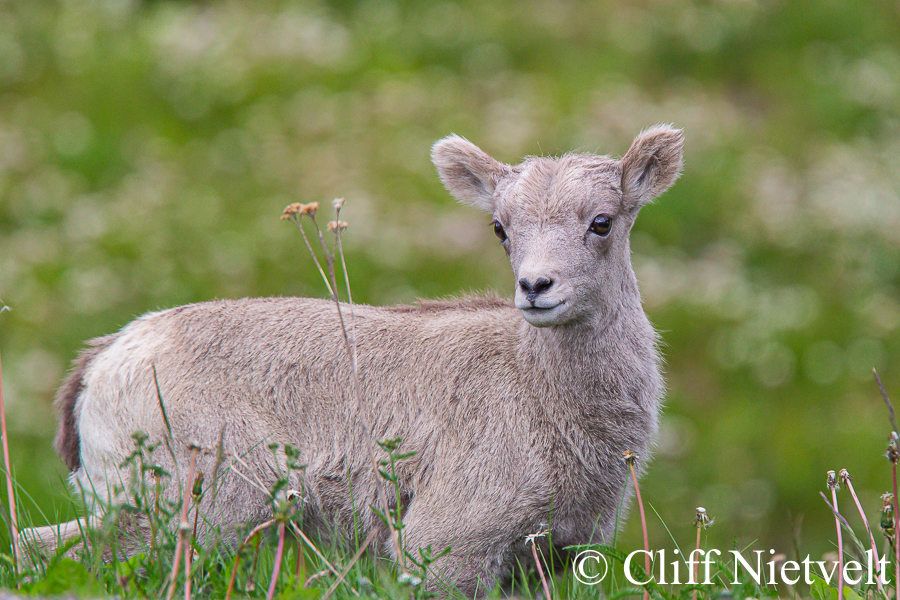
[565, 222]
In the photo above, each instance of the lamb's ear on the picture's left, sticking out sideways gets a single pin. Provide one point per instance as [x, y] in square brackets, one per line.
[467, 172]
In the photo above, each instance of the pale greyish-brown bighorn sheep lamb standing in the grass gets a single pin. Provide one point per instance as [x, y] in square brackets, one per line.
[513, 412]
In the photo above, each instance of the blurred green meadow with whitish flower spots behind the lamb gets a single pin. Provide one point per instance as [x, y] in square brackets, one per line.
[148, 148]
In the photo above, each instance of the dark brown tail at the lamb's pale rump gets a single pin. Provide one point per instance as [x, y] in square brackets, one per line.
[68, 439]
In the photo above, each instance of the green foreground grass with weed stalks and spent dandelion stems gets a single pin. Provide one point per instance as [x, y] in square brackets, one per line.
[276, 559]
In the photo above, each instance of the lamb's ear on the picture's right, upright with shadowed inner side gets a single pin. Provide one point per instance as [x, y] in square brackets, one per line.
[652, 164]
